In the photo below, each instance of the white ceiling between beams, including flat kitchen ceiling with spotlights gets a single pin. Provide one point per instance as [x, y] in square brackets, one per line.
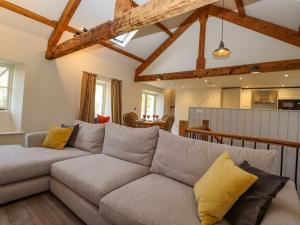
[91, 13]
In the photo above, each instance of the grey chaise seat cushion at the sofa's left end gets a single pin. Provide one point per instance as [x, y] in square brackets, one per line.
[18, 163]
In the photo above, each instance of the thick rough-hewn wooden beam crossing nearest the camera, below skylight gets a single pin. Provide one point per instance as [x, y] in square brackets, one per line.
[150, 13]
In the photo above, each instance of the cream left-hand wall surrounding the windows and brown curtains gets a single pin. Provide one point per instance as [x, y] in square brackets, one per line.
[52, 88]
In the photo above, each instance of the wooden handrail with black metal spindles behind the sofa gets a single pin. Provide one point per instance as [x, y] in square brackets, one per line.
[199, 134]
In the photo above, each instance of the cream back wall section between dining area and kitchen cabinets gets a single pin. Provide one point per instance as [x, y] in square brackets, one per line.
[185, 98]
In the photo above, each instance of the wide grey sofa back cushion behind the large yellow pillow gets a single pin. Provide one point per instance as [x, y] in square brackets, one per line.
[187, 160]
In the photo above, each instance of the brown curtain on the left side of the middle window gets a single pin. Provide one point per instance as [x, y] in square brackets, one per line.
[87, 98]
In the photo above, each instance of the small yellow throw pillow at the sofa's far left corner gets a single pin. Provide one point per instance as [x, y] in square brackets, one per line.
[57, 137]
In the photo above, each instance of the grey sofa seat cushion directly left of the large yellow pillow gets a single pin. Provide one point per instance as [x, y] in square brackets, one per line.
[151, 200]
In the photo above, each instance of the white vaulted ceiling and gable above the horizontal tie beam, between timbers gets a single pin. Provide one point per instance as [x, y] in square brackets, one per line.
[91, 13]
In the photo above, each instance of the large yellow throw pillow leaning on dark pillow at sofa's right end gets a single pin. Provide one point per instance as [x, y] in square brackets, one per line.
[220, 188]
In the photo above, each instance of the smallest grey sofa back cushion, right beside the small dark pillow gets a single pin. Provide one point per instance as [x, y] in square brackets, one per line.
[90, 137]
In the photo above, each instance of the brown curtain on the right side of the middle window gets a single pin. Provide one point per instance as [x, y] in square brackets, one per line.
[116, 101]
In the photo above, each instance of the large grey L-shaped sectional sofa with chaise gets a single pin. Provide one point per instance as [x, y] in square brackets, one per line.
[142, 177]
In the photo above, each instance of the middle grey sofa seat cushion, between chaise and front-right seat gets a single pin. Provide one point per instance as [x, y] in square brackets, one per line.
[92, 177]
